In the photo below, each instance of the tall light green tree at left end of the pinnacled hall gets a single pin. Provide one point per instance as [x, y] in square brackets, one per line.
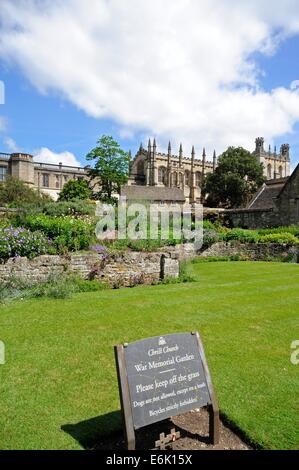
[111, 167]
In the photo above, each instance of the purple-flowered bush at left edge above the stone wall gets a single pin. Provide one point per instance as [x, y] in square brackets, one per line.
[22, 242]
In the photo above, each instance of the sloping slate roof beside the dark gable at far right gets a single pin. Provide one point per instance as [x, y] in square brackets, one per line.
[264, 198]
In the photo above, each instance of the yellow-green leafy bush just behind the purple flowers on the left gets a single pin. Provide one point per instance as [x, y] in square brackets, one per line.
[67, 233]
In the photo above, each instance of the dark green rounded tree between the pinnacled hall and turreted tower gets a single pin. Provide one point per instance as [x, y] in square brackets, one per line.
[235, 180]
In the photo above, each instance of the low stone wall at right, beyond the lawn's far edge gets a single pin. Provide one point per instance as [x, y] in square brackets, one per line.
[253, 251]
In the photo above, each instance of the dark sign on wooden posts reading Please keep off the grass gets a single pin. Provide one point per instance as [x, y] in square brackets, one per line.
[161, 377]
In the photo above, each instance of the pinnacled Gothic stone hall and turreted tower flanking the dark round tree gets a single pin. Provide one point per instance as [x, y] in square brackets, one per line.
[152, 168]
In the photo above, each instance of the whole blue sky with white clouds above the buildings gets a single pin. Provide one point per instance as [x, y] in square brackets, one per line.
[208, 73]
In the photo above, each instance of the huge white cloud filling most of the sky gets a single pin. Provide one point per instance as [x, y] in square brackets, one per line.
[178, 69]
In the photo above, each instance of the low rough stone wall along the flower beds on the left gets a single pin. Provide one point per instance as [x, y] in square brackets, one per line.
[117, 270]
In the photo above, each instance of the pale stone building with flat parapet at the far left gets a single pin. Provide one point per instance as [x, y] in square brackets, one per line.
[48, 178]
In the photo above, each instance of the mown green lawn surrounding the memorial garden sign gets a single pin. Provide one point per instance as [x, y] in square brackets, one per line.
[60, 371]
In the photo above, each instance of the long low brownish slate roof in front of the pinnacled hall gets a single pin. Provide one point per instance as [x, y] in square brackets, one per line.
[152, 193]
